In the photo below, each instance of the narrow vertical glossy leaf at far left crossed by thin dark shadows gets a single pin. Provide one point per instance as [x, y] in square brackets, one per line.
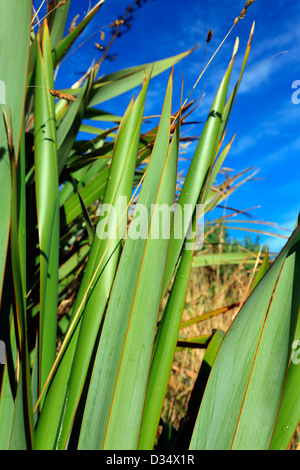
[46, 180]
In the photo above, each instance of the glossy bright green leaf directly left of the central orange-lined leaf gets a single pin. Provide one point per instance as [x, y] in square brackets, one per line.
[104, 254]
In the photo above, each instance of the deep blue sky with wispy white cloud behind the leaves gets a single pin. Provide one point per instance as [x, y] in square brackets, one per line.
[264, 117]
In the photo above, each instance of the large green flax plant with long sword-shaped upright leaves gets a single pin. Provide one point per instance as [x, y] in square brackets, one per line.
[89, 339]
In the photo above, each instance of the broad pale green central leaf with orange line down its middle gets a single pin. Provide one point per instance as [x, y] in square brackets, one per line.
[131, 314]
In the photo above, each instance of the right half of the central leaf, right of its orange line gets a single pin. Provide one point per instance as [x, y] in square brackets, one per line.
[129, 395]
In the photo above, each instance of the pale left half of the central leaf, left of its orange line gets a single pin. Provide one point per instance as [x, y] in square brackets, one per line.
[109, 352]
